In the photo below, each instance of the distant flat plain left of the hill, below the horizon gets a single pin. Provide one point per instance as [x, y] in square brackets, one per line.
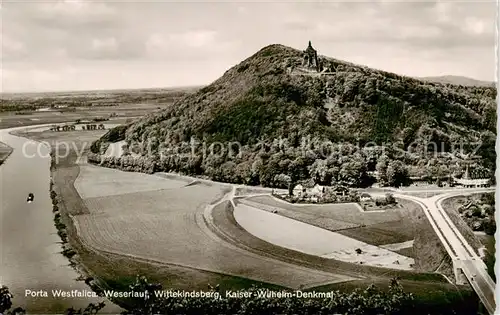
[25, 109]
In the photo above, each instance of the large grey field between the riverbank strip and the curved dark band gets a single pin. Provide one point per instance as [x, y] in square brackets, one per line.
[165, 226]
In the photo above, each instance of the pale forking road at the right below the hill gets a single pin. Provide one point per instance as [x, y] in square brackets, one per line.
[462, 254]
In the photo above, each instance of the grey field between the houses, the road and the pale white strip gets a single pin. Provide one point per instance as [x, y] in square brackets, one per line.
[404, 223]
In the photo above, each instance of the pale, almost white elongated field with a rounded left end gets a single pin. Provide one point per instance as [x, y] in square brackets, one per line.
[315, 241]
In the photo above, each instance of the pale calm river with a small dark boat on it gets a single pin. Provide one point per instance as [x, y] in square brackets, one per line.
[30, 256]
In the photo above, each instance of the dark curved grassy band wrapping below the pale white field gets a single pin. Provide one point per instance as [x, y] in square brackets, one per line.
[423, 285]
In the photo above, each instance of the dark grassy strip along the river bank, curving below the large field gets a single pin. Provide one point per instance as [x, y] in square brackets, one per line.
[117, 272]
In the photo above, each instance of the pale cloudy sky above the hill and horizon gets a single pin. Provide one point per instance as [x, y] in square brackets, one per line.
[81, 45]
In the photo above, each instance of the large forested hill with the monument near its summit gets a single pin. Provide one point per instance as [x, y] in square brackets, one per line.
[280, 99]
